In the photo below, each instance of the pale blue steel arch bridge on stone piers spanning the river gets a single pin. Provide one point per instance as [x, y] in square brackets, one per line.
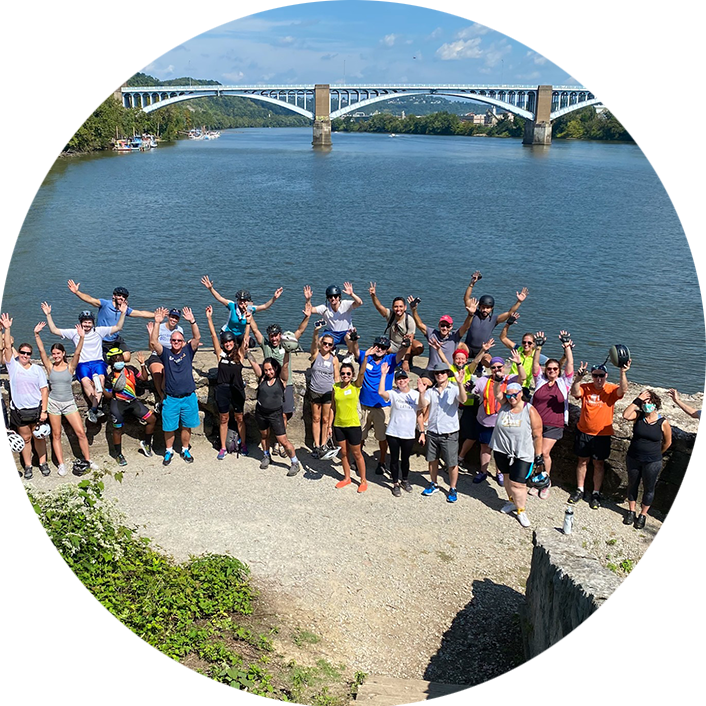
[538, 105]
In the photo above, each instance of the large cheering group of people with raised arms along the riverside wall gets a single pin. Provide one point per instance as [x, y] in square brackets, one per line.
[515, 407]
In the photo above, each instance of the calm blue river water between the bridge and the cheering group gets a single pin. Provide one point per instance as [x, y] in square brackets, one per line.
[607, 237]
